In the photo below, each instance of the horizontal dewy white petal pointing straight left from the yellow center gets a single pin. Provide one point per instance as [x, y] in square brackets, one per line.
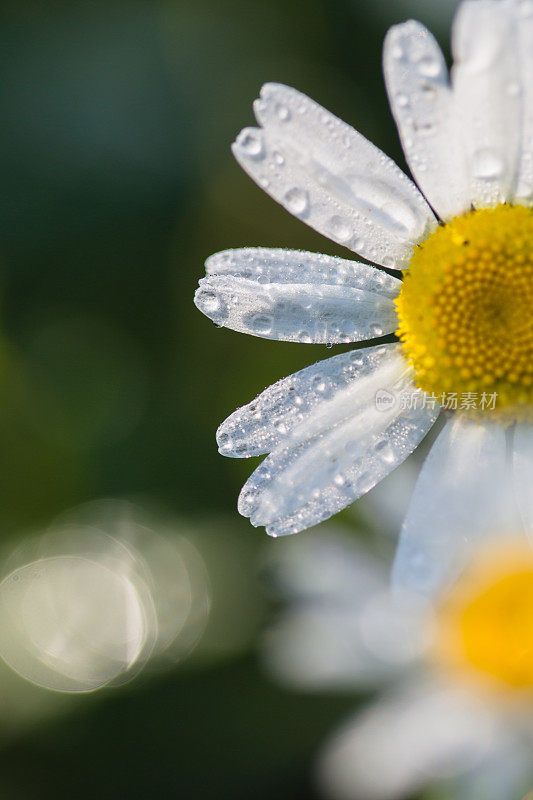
[292, 296]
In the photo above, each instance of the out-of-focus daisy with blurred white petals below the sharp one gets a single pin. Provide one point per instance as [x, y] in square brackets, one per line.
[454, 673]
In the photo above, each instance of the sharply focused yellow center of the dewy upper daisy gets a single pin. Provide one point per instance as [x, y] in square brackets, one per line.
[465, 311]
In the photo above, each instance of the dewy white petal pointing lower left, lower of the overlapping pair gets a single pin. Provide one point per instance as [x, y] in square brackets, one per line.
[338, 453]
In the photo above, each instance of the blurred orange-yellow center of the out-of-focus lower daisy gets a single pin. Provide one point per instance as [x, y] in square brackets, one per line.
[486, 622]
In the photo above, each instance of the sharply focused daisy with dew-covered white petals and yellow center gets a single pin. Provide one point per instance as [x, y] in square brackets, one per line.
[462, 312]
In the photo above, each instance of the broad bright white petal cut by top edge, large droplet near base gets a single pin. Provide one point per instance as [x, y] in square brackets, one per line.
[486, 85]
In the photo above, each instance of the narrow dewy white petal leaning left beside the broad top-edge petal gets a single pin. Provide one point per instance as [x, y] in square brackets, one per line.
[422, 103]
